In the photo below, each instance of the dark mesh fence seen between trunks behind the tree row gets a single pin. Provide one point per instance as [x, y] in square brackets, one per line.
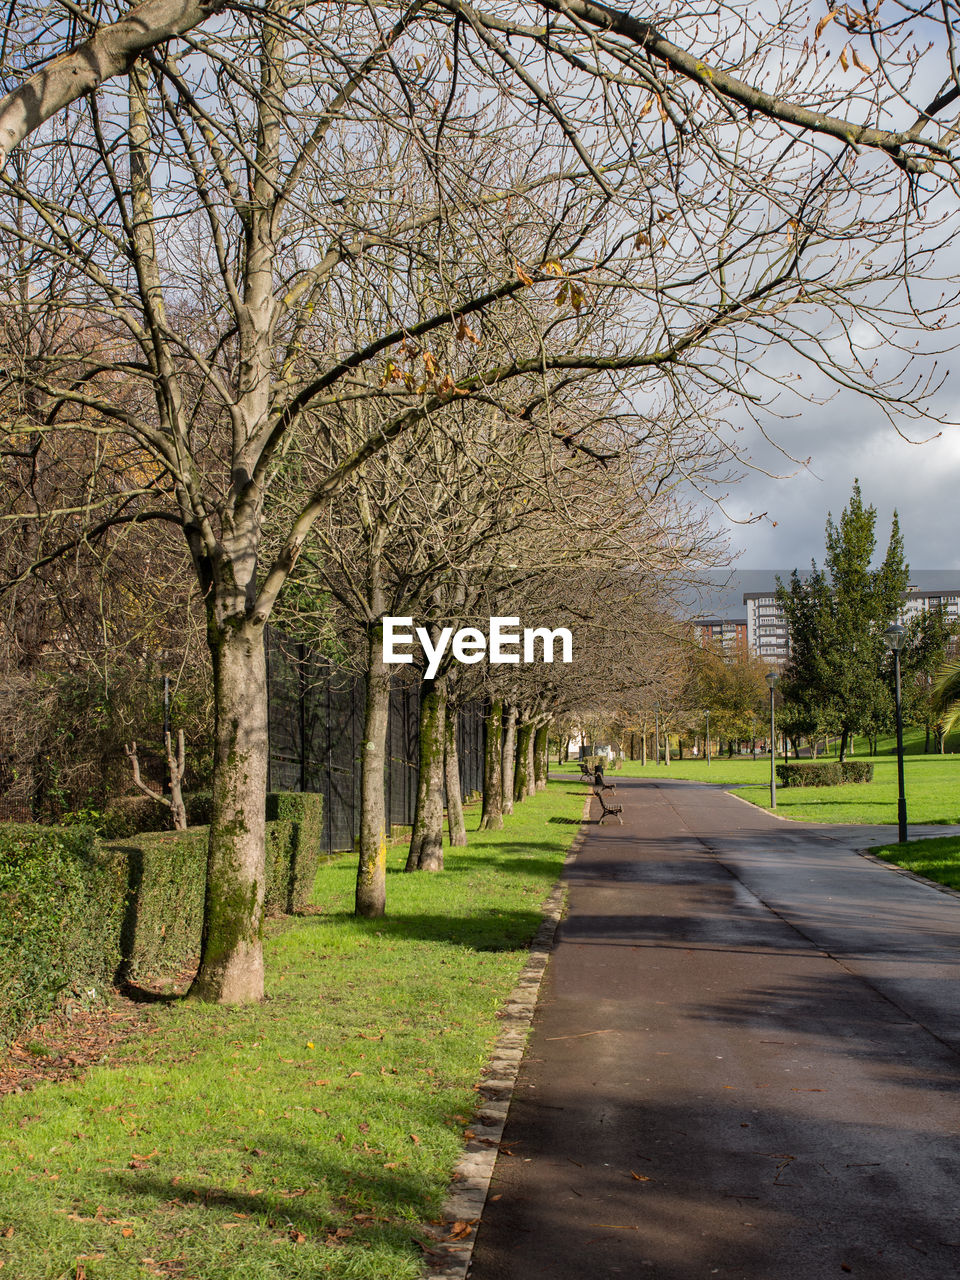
[317, 730]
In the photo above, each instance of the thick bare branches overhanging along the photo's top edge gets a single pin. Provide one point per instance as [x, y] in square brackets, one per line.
[710, 57]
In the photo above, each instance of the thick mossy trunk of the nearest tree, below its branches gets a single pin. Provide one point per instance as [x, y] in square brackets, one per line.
[232, 956]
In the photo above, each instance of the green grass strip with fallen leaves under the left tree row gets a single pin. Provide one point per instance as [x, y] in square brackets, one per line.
[310, 1136]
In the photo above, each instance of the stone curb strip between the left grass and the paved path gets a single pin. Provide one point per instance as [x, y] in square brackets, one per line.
[467, 1195]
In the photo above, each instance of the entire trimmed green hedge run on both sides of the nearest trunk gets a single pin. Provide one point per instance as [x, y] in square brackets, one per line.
[77, 911]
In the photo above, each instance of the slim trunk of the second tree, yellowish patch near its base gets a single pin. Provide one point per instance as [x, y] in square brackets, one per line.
[372, 871]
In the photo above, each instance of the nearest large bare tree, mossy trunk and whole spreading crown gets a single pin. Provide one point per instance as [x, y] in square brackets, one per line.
[696, 221]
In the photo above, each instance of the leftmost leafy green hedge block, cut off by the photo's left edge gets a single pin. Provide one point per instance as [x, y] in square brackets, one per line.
[61, 904]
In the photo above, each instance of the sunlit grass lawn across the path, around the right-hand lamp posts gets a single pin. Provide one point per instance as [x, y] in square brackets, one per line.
[932, 785]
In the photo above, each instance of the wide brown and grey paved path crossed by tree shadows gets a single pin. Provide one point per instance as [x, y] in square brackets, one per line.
[746, 1062]
